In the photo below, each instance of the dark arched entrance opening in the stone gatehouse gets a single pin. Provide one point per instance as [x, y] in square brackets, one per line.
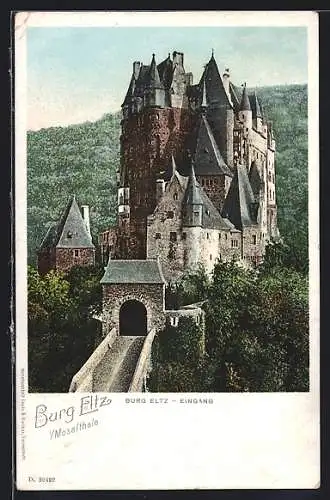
[133, 319]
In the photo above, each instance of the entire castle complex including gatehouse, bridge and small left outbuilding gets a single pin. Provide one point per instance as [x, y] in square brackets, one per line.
[196, 185]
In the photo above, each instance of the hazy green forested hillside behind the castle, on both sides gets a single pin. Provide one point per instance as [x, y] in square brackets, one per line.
[83, 159]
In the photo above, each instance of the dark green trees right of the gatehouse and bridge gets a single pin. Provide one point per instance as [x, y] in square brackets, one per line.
[256, 336]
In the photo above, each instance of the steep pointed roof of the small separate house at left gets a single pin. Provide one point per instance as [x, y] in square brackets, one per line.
[70, 231]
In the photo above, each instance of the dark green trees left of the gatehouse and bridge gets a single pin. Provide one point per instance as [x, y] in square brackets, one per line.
[61, 330]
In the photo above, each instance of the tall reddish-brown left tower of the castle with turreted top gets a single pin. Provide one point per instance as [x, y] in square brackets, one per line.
[154, 128]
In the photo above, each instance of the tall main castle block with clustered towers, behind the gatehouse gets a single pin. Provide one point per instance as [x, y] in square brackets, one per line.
[197, 174]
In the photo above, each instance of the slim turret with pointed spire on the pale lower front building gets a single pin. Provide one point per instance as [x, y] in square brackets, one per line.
[193, 214]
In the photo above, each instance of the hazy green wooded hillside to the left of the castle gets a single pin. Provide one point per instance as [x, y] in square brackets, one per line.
[79, 159]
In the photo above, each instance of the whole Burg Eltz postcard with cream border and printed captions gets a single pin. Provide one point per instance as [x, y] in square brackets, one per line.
[166, 250]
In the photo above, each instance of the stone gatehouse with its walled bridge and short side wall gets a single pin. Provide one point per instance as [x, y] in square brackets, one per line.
[133, 312]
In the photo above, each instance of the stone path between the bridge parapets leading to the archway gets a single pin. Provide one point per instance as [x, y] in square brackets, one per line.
[115, 371]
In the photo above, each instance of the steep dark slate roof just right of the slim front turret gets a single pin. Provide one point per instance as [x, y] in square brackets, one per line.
[240, 200]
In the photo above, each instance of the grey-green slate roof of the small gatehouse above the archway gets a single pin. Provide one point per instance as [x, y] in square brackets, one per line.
[133, 271]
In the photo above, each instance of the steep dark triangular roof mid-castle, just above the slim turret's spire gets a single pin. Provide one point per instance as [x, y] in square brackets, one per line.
[208, 159]
